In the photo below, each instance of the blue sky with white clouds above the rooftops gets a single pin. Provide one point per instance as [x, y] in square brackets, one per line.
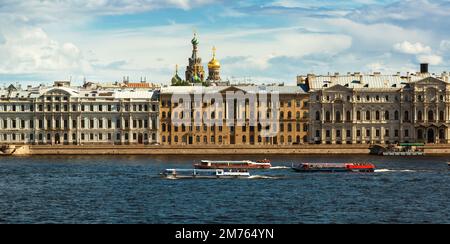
[261, 41]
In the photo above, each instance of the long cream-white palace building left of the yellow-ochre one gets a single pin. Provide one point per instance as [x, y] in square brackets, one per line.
[74, 115]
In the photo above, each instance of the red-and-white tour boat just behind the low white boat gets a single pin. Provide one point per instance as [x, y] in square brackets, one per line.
[245, 164]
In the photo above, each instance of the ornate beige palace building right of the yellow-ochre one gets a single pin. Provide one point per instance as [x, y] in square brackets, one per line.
[379, 109]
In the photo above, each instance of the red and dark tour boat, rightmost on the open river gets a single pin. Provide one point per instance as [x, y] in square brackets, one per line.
[338, 167]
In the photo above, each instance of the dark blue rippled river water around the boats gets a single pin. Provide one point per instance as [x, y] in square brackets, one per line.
[127, 189]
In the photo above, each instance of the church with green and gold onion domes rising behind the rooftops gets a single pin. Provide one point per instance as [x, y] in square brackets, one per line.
[195, 73]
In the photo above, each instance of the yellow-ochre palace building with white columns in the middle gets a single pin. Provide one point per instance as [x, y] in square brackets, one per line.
[195, 116]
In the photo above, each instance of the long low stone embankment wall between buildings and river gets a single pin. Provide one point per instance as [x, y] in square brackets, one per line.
[208, 150]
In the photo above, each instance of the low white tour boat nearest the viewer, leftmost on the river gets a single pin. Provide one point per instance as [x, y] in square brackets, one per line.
[204, 174]
